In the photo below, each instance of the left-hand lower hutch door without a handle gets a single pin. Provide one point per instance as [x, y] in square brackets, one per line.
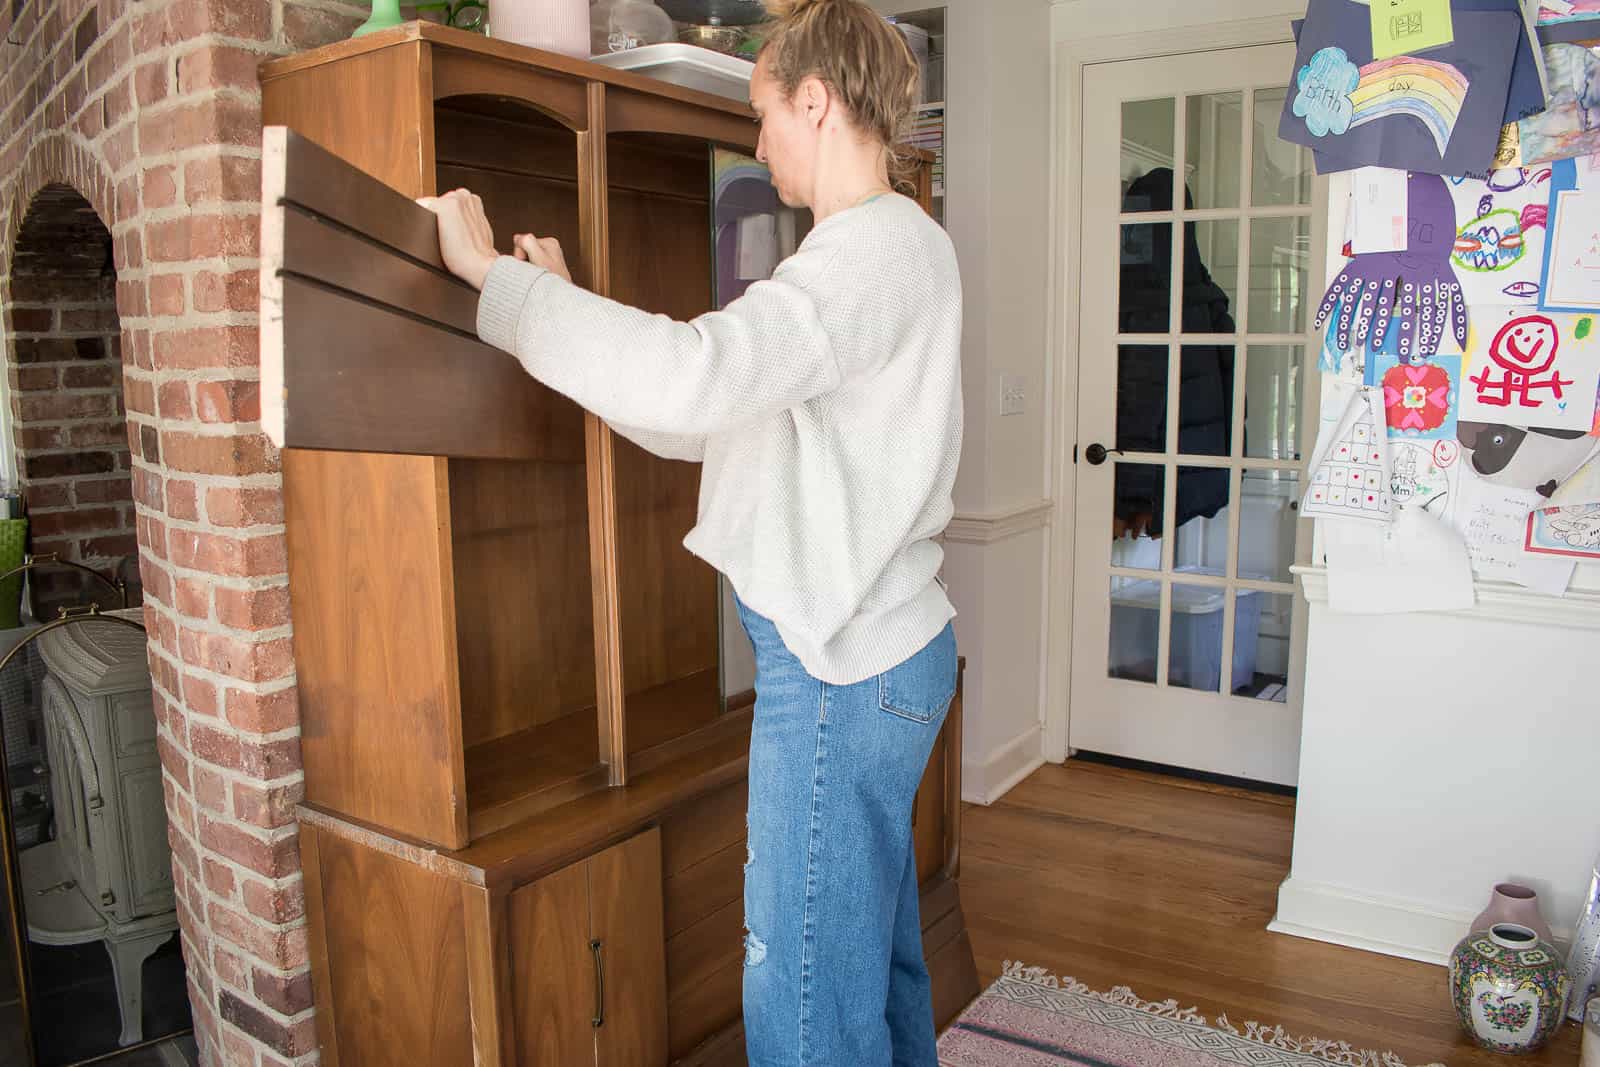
[553, 970]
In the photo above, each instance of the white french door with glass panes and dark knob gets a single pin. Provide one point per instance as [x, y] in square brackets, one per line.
[1193, 414]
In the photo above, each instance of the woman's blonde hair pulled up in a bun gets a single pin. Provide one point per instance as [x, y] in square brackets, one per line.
[860, 57]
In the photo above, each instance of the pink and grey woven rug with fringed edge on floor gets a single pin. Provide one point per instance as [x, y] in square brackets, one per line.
[1034, 1020]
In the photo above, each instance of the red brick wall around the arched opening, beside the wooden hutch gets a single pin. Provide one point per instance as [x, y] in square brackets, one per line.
[150, 111]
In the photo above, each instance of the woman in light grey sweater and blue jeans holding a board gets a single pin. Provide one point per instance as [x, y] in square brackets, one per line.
[825, 407]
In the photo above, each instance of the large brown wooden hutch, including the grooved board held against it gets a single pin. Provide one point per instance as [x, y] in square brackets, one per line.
[526, 735]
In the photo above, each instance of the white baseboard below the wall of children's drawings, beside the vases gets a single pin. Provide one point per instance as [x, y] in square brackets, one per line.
[1385, 925]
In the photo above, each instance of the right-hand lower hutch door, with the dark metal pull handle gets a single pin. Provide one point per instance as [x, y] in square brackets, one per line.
[626, 921]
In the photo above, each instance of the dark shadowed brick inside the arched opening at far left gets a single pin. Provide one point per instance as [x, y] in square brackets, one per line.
[66, 396]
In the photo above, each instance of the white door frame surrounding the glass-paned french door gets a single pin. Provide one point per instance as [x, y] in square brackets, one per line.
[1070, 60]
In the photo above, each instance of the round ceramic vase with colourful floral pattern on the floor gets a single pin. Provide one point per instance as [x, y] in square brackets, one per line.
[1510, 988]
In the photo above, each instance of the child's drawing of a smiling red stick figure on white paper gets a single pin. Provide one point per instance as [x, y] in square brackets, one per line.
[1532, 370]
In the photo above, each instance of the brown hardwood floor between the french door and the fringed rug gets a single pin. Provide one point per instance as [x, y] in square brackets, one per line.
[1126, 879]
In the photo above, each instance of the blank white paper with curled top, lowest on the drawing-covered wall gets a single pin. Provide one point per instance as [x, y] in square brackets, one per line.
[1417, 564]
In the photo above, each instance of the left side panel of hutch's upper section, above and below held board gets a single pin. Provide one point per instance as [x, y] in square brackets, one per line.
[369, 535]
